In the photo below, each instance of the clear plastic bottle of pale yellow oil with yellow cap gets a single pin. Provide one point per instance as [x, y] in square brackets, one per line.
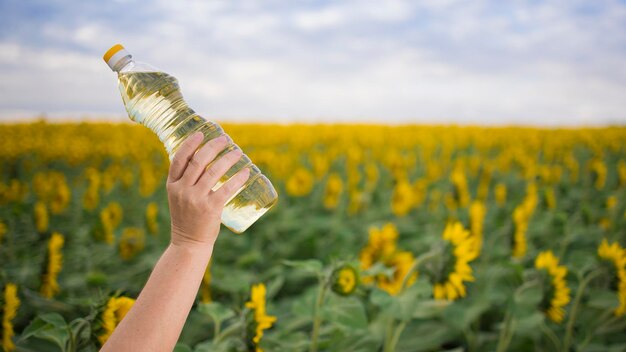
[153, 99]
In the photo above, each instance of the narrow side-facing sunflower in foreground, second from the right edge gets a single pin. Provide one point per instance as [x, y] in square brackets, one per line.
[560, 293]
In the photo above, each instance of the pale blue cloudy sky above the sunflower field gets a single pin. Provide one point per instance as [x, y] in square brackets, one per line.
[550, 63]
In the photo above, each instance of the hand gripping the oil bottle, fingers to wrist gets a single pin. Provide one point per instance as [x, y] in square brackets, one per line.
[195, 209]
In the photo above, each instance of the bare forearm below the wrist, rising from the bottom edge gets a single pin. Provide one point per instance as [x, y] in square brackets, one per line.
[156, 319]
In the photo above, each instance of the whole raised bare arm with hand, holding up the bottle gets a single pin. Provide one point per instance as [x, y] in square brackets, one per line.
[156, 319]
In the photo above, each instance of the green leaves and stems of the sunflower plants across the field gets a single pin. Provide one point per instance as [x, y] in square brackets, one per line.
[295, 248]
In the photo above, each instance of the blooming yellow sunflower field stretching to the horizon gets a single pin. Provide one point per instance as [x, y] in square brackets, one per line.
[384, 238]
